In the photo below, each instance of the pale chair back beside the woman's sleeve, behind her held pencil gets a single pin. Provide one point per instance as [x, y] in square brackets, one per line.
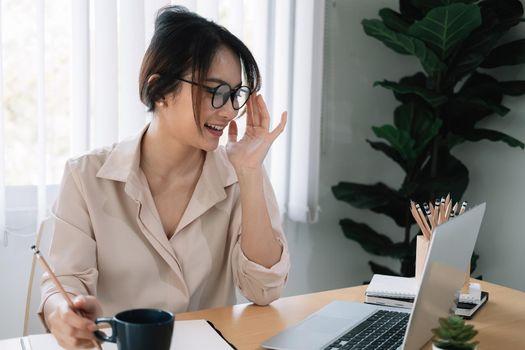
[32, 323]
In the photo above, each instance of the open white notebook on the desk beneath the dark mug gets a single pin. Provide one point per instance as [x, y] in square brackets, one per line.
[187, 335]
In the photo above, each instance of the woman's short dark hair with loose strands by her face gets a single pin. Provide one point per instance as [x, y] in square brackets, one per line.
[184, 41]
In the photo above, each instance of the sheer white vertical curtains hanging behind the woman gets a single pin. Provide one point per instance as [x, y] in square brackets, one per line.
[108, 39]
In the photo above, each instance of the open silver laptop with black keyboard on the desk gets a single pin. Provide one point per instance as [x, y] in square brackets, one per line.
[350, 325]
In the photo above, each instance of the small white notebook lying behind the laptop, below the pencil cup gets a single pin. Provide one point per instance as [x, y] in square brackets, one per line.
[392, 287]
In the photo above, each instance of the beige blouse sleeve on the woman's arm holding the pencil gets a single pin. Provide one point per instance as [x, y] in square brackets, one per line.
[72, 254]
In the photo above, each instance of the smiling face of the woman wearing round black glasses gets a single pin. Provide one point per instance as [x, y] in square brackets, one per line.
[178, 111]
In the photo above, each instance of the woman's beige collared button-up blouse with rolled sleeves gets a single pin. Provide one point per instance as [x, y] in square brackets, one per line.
[109, 241]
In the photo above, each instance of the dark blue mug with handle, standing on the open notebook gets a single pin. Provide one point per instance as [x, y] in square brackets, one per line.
[139, 329]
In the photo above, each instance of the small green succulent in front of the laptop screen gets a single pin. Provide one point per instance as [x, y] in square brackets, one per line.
[454, 334]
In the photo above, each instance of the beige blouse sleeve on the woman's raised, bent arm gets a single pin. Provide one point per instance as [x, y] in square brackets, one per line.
[257, 283]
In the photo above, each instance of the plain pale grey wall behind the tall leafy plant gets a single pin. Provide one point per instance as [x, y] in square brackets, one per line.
[322, 258]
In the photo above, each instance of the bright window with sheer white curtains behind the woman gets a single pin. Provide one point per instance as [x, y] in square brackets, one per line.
[69, 82]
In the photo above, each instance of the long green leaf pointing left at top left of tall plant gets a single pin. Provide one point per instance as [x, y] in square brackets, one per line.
[404, 44]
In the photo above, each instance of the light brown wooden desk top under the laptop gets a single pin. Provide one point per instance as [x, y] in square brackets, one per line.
[501, 322]
